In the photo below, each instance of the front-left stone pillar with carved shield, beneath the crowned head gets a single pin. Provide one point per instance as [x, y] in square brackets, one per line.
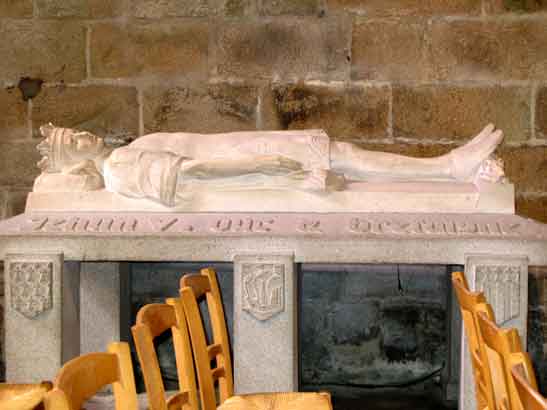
[38, 304]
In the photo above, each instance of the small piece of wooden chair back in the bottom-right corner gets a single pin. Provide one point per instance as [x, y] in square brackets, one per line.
[523, 375]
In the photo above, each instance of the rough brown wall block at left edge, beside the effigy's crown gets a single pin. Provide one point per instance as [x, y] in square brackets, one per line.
[18, 164]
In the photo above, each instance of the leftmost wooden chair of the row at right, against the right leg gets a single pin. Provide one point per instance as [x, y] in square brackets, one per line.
[468, 302]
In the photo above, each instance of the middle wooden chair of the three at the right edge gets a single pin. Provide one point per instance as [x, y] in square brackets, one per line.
[503, 347]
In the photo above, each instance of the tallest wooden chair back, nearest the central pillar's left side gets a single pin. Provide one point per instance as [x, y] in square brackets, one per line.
[193, 288]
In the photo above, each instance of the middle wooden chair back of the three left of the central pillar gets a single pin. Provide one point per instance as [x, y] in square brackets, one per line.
[152, 321]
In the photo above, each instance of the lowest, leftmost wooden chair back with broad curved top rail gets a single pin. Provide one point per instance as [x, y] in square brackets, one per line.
[82, 377]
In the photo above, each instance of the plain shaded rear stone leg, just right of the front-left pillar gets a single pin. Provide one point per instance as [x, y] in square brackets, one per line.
[99, 305]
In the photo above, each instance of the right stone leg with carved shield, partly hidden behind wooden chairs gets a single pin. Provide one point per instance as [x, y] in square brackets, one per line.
[504, 280]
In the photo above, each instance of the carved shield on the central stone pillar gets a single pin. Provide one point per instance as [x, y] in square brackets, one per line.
[263, 289]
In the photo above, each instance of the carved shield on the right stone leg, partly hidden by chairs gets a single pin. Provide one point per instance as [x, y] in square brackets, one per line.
[501, 286]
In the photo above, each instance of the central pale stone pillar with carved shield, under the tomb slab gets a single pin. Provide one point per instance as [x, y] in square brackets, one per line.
[265, 324]
